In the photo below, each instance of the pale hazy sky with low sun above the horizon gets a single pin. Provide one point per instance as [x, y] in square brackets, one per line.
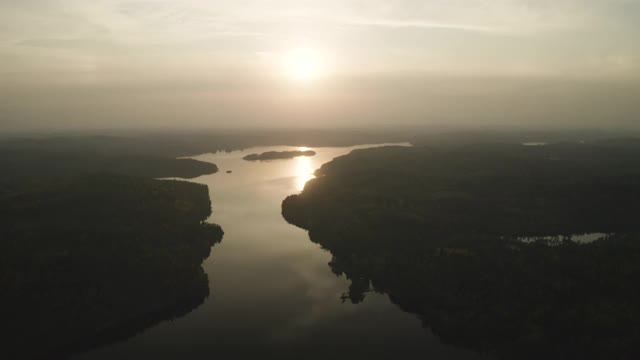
[111, 63]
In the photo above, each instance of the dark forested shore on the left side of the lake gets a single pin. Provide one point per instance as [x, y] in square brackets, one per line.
[93, 250]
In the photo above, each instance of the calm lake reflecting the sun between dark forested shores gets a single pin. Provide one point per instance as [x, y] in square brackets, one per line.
[272, 293]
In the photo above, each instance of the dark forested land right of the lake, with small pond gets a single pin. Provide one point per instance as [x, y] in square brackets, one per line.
[438, 231]
